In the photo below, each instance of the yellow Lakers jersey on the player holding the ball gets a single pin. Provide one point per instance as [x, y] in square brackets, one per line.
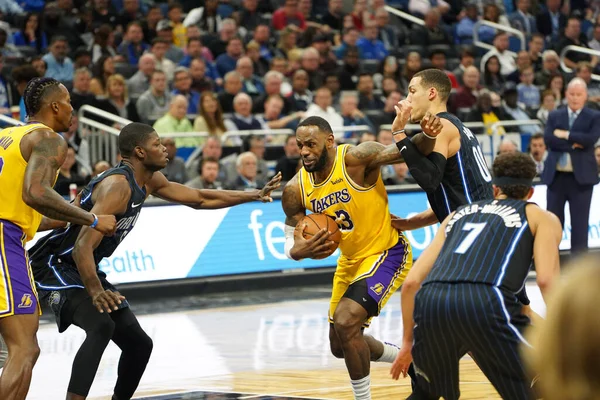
[366, 227]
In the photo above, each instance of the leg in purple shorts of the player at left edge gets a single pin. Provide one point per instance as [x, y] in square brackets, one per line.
[19, 314]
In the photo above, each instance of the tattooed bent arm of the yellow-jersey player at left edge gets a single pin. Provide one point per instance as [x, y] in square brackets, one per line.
[48, 152]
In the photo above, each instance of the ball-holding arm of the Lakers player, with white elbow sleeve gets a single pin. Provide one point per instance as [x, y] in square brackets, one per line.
[296, 247]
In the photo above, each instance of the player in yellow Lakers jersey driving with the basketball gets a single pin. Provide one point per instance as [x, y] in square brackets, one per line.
[345, 183]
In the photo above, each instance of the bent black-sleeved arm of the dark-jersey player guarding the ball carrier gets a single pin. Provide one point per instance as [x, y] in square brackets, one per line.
[428, 170]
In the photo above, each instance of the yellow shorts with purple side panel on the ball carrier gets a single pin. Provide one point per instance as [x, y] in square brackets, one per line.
[372, 280]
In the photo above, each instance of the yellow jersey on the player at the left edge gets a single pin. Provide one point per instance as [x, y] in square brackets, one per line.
[12, 175]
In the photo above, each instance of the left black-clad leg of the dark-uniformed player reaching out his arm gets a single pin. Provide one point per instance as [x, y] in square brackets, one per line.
[99, 329]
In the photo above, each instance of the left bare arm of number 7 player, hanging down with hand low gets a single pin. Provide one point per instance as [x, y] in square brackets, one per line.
[411, 285]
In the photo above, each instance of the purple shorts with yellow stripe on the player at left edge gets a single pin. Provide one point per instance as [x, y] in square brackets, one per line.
[17, 290]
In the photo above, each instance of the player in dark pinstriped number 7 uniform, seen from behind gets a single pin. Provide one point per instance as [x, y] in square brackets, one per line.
[467, 282]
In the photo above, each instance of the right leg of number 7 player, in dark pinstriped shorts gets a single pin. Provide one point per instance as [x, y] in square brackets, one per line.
[495, 342]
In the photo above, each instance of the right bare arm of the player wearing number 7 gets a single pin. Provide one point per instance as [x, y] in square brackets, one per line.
[547, 233]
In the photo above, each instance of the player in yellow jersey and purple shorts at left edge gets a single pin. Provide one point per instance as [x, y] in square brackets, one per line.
[30, 157]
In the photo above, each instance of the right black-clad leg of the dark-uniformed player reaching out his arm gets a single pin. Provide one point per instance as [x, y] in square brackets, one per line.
[136, 347]
